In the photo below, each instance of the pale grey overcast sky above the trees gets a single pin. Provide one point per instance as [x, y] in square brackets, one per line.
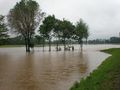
[102, 16]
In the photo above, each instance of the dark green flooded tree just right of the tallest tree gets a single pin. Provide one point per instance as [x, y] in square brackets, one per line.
[47, 27]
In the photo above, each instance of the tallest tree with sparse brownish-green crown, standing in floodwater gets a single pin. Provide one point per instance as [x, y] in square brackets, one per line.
[24, 18]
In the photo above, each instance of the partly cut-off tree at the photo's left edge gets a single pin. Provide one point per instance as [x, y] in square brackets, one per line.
[3, 29]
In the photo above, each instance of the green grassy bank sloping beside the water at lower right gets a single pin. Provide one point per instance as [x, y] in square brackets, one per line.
[105, 77]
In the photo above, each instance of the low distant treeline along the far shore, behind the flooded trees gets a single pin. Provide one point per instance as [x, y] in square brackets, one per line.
[37, 40]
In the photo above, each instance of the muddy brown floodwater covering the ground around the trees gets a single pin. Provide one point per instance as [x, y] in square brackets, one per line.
[47, 70]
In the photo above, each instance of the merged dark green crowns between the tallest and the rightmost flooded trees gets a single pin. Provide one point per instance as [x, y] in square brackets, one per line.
[63, 28]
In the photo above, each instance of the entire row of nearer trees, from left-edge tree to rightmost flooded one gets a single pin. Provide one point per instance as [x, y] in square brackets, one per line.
[26, 16]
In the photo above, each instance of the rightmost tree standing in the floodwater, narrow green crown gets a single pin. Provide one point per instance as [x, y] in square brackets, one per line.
[81, 32]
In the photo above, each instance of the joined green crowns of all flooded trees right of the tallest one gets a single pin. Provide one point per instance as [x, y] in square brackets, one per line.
[63, 30]
